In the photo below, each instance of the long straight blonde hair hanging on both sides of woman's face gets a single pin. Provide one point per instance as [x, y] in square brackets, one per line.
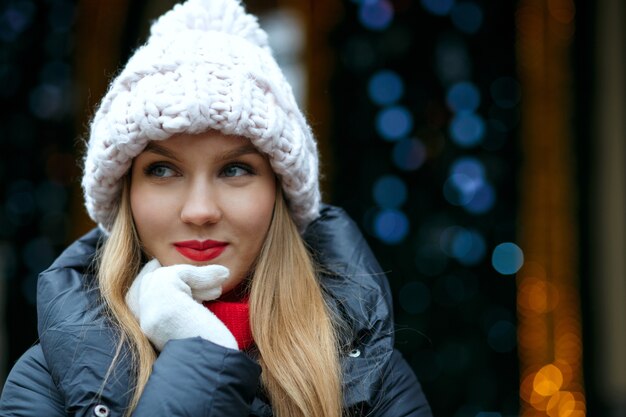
[292, 326]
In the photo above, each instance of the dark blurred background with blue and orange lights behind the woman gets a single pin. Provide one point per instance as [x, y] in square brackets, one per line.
[478, 144]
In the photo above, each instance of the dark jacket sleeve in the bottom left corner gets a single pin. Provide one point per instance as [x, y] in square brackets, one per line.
[29, 390]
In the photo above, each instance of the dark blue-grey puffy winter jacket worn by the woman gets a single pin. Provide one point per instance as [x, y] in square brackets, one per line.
[64, 373]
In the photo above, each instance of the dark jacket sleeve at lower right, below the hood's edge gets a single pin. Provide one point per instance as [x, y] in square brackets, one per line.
[401, 394]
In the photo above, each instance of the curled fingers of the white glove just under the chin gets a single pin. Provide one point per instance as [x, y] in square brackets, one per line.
[205, 281]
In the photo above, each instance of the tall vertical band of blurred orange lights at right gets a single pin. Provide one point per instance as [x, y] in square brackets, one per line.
[548, 305]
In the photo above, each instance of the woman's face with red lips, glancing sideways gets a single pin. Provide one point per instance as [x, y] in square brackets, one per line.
[203, 199]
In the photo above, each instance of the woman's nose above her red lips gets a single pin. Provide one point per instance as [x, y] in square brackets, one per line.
[201, 204]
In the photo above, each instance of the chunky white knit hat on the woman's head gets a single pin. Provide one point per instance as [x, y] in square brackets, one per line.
[206, 65]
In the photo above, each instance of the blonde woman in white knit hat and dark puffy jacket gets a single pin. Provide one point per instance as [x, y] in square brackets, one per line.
[216, 283]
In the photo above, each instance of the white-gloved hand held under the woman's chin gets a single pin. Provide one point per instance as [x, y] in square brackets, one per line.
[167, 303]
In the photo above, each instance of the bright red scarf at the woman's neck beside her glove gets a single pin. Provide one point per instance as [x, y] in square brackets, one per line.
[234, 312]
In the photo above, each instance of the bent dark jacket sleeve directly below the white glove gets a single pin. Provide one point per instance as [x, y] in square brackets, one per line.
[195, 377]
